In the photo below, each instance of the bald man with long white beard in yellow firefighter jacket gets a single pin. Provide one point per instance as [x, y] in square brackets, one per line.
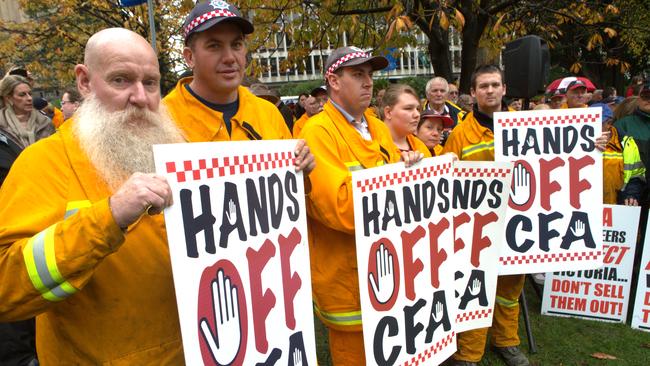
[81, 246]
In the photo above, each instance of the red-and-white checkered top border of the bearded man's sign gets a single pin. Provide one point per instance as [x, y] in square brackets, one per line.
[188, 170]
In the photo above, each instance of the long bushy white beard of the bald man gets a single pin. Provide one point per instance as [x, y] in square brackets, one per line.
[120, 143]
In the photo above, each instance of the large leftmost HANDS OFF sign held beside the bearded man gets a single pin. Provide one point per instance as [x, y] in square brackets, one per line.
[238, 244]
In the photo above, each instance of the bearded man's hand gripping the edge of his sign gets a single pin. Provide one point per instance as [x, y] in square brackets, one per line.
[139, 194]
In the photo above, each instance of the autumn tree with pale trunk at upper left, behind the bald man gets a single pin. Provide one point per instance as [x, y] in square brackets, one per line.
[52, 41]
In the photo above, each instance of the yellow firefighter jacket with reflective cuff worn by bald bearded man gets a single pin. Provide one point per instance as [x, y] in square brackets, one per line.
[101, 296]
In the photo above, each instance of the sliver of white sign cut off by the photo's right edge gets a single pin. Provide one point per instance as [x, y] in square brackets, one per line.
[641, 314]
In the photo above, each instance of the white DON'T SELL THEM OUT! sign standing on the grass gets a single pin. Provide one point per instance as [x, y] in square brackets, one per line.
[603, 293]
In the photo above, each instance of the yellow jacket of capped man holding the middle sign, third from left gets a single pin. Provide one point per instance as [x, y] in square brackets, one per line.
[339, 149]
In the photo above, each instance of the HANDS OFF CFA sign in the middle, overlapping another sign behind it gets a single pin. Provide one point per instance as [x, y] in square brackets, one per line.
[404, 244]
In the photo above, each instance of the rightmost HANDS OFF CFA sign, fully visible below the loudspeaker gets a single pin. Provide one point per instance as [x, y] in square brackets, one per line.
[555, 209]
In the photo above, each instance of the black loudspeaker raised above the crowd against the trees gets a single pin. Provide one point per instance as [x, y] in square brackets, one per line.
[527, 62]
